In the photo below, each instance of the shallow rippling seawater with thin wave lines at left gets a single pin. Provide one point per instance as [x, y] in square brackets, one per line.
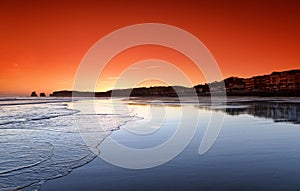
[40, 140]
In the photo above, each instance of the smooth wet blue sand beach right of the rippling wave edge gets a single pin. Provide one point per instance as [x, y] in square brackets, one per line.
[251, 153]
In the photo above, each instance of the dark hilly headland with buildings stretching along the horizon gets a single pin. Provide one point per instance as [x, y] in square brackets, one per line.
[285, 83]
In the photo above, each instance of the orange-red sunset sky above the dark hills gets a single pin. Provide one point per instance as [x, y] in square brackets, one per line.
[43, 42]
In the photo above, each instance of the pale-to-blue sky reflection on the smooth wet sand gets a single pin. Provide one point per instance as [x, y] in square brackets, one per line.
[251, 153]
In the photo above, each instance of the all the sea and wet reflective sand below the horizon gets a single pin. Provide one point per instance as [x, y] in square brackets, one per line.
[44, 139]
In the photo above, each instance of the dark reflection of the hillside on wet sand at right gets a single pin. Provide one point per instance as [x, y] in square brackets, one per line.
[288, 112]
